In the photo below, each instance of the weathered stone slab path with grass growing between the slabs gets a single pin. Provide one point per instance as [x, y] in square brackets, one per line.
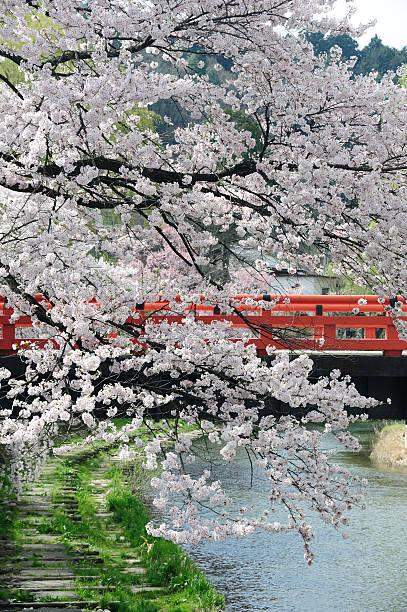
[40, 569]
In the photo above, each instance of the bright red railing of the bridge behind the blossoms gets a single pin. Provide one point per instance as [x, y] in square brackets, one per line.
[295, 322]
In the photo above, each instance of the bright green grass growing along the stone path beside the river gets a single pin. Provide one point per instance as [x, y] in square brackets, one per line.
[184, 587]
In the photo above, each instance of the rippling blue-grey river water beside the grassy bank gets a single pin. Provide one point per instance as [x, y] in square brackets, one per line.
[365, 573]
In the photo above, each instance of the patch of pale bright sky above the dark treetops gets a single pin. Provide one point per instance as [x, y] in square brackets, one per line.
[391, 16]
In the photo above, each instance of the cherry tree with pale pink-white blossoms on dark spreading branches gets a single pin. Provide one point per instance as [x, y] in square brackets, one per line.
[325, 179]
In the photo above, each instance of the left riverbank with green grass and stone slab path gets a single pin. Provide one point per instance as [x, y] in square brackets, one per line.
[86, 515]
